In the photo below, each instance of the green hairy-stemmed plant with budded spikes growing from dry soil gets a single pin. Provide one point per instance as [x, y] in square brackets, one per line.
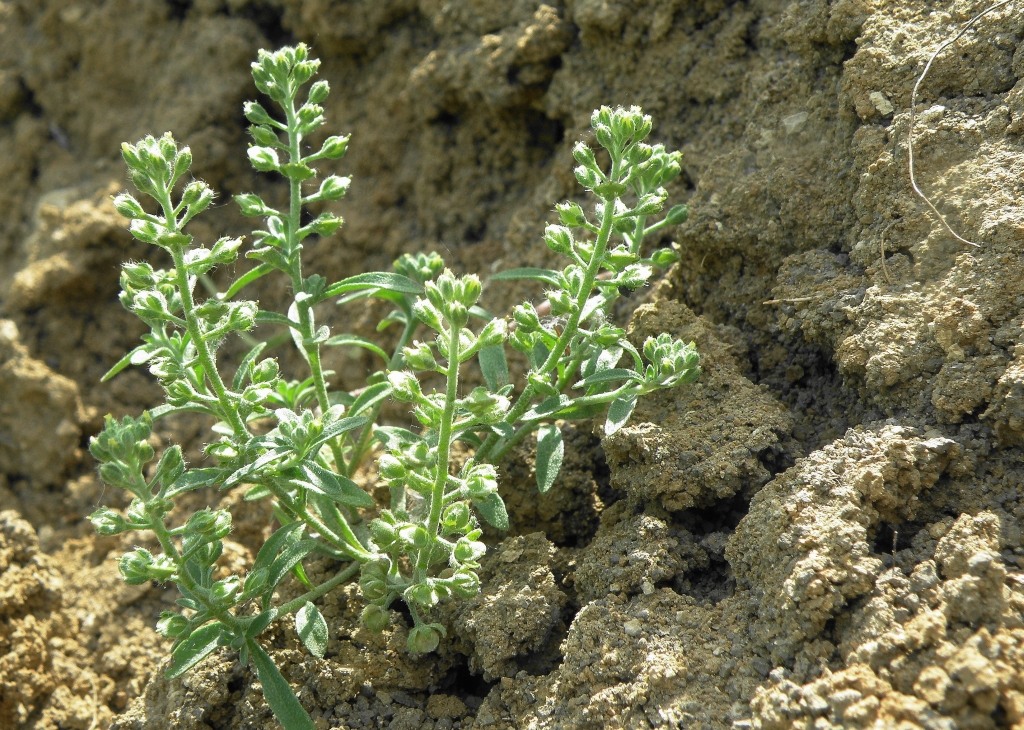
[297, 443]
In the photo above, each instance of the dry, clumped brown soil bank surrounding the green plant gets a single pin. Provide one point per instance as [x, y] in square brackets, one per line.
[825, 532]
